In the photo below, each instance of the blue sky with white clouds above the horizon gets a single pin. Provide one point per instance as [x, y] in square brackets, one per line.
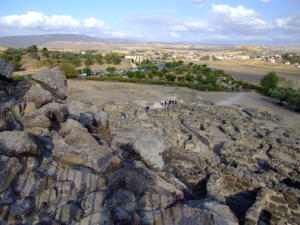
[263, 22]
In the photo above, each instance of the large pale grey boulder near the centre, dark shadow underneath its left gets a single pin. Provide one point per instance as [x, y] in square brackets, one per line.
[147, 145]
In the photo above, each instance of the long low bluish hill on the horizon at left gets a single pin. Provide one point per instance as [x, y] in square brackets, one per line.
[27, 40]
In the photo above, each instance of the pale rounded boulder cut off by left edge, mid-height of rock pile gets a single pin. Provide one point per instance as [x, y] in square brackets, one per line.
[18, 143]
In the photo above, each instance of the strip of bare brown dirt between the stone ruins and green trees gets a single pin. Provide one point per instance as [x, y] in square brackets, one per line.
[99, 93]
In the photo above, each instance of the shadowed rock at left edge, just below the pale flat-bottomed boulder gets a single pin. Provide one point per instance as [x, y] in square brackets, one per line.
[9, 168]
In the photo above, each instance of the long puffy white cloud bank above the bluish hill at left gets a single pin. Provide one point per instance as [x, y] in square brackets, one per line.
[37, 20]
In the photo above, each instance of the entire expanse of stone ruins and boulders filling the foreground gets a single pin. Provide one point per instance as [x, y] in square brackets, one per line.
[67, 162]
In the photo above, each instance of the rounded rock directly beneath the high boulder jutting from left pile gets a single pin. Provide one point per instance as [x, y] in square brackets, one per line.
[38, 95]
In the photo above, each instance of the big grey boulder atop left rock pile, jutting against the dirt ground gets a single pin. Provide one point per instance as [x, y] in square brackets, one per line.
[54, 81]
